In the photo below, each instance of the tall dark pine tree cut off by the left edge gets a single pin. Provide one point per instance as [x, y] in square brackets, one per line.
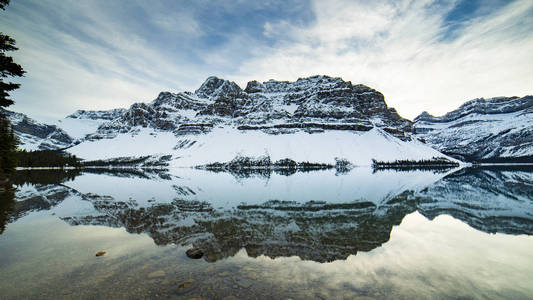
[8, 68]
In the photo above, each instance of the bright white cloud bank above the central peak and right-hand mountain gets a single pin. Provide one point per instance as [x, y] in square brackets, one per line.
[398, 48]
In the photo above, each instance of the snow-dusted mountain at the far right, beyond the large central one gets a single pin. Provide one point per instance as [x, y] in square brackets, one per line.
[492, 130]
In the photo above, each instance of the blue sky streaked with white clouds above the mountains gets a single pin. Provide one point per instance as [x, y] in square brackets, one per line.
[422, 55]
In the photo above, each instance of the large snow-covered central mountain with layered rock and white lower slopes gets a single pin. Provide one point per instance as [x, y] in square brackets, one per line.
[314, 119]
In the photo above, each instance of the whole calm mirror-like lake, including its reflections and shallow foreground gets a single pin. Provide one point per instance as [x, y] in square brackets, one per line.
[268, 235]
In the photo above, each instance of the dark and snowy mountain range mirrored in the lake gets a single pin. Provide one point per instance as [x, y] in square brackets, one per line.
[320, 216]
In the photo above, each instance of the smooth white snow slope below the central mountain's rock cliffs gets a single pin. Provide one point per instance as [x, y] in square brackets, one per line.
[224, 144]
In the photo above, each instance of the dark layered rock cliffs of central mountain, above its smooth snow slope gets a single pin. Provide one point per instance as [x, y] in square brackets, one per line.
[272, 107]
